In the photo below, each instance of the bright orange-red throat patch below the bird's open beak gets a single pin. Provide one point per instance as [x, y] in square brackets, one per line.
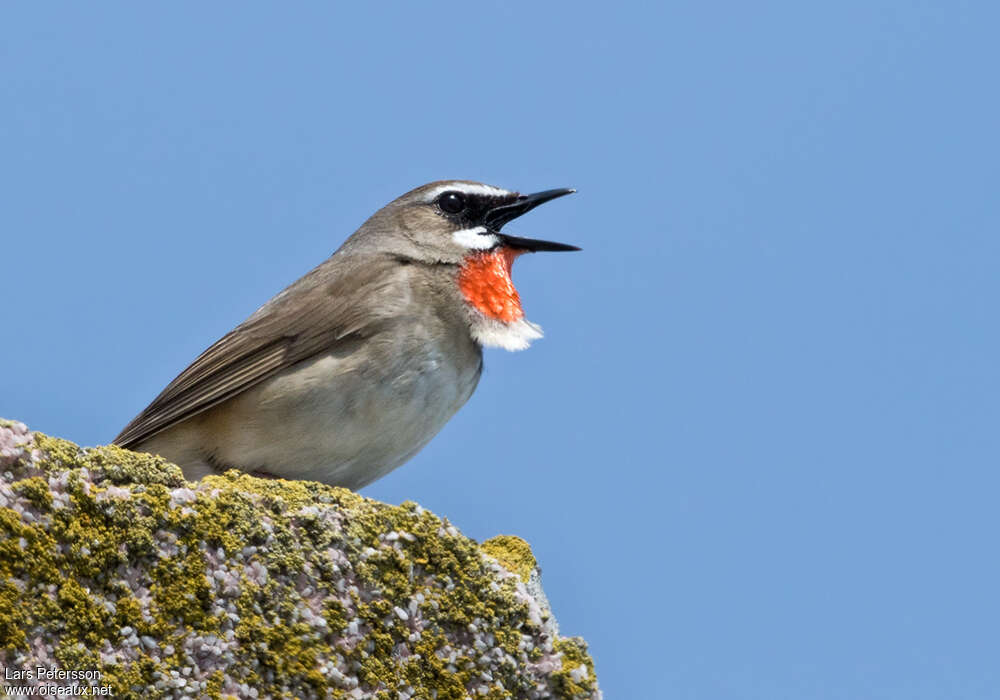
[485, 281]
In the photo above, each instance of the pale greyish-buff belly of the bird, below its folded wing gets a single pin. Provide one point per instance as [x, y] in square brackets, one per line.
[330, 420]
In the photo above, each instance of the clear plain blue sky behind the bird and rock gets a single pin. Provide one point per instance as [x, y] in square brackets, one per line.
[757, 451]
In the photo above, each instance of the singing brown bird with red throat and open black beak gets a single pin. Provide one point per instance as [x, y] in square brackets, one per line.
[351, 370]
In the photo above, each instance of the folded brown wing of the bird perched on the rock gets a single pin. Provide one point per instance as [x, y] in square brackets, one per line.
[341, 298]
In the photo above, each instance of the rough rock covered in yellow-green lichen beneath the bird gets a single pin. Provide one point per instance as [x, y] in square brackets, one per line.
[112, 564]
